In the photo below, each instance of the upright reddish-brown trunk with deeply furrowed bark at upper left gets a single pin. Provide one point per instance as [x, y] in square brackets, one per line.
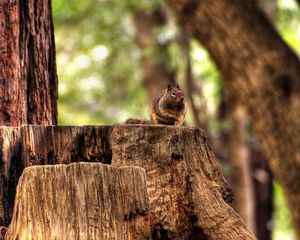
[28, 79]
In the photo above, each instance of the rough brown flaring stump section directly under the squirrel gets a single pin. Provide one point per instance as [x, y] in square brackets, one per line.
[189, 198]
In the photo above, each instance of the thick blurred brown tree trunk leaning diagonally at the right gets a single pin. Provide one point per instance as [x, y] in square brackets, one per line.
[263, 71]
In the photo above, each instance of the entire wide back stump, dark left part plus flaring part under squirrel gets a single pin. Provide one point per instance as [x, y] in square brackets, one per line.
[188, 196]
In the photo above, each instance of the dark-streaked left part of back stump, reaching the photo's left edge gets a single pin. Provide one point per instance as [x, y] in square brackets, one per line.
[36, 145]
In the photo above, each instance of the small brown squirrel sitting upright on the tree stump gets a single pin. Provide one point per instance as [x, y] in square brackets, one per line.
[169, 107]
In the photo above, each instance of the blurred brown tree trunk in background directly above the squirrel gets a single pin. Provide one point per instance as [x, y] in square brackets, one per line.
[155, 60]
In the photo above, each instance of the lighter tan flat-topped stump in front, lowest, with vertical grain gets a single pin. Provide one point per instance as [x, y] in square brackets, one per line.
[81, 201]
